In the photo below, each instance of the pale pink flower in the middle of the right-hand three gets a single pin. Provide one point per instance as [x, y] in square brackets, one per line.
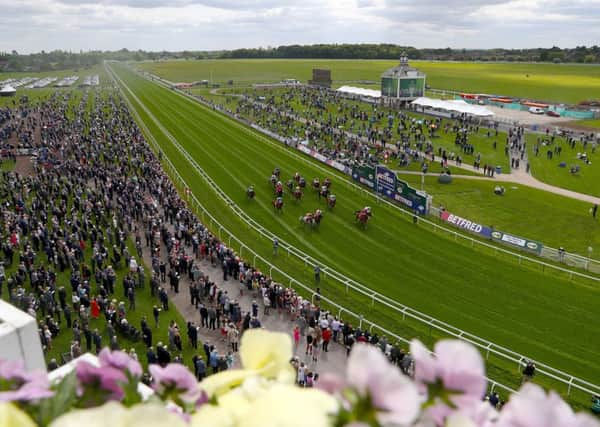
[458, 365]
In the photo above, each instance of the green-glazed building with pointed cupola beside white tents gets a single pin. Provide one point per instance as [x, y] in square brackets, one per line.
[403, 82]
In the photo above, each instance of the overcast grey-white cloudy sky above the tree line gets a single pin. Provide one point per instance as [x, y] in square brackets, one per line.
[34, 25]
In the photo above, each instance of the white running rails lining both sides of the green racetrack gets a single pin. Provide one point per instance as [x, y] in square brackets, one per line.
[485, 346]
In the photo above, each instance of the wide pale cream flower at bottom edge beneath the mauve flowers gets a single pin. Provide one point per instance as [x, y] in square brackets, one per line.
[114, 414]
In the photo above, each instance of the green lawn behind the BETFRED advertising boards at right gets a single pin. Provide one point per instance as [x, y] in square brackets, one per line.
[522, 210]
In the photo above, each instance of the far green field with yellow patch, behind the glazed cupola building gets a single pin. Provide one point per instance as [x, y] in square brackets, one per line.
[552, 82]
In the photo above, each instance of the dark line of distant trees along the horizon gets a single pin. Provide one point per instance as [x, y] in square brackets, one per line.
[63, 60]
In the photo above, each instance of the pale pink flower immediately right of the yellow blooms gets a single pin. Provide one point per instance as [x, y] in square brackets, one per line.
[393, 395]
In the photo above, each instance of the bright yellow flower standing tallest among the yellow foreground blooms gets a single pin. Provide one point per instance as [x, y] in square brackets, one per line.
[262, 353]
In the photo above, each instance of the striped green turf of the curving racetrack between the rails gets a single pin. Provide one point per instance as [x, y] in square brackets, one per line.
[541, 315]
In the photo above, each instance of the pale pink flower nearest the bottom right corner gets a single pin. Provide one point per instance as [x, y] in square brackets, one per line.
[532, 407]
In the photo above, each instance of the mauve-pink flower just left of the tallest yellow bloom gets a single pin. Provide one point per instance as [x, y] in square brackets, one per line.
[175, 378]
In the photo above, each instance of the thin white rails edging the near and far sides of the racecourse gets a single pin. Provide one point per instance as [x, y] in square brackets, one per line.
[484, 345]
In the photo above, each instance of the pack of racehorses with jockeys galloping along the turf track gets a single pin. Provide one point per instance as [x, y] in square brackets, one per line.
[296, 186]
